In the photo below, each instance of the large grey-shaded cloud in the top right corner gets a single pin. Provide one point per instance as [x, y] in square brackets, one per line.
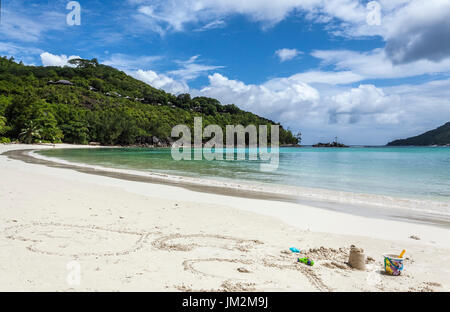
[412, 29]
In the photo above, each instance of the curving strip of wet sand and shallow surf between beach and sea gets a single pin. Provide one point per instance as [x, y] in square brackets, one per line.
[366, 205]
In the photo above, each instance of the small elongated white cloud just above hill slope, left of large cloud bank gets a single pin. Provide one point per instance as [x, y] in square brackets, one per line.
[161, 81]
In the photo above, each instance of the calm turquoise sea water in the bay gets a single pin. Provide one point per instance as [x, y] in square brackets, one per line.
[413, 172]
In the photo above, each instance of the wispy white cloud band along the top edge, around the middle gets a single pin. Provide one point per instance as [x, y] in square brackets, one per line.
[176, 14]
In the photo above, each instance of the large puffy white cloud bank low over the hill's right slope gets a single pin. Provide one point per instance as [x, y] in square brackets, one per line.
[292, 101]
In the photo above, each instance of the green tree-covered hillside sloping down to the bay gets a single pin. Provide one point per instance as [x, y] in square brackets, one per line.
[104, 105]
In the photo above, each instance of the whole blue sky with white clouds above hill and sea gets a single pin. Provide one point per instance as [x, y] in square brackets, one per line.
[366, 72]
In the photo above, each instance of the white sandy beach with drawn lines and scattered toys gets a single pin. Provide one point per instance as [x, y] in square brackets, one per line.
[136, 236]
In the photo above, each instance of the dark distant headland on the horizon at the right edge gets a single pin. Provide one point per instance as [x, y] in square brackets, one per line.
[439, 136]
